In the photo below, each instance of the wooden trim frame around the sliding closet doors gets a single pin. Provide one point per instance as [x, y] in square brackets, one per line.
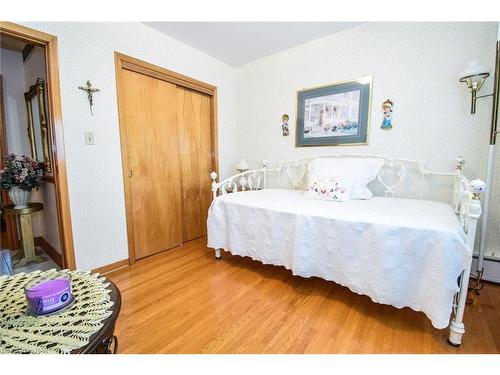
[124, 62]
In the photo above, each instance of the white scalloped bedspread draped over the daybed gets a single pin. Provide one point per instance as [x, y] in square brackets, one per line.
[401, 252]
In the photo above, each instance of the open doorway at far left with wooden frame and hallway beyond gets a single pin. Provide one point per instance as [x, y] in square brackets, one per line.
[39, 137]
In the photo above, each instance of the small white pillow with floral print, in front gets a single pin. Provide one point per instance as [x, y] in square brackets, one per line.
[330, 189]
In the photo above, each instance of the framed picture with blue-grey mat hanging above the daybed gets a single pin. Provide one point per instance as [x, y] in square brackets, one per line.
[333, 115]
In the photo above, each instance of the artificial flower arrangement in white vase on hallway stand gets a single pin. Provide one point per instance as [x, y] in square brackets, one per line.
[20, 175]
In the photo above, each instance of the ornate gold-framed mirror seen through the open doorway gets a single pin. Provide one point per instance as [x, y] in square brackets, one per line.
[38, 131]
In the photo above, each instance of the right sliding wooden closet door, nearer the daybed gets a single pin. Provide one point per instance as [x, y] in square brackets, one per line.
[193, 123]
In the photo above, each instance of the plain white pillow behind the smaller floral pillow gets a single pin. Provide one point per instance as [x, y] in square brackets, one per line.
[362, 170]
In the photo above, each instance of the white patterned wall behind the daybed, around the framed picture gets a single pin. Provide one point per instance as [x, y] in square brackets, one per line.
[417, 65]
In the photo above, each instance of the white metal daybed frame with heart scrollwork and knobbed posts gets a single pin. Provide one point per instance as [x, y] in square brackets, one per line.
[465, 201]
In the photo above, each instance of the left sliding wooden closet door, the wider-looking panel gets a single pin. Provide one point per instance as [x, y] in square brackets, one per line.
[152, 139]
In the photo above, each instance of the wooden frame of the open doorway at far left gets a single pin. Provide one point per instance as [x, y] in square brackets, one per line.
[49, 43]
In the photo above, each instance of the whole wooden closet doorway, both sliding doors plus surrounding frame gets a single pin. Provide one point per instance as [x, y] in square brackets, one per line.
[168, 135]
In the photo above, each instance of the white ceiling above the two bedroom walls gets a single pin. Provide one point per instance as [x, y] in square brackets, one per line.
[238, 43]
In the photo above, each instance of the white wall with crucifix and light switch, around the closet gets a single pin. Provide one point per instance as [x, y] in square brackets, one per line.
[86, 51]
